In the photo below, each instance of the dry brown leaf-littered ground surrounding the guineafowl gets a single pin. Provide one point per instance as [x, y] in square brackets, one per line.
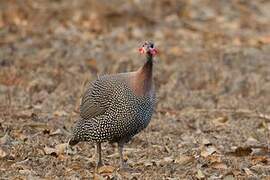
[212, 118]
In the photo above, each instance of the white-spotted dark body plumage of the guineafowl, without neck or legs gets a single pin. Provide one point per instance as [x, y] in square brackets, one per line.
[117, 112]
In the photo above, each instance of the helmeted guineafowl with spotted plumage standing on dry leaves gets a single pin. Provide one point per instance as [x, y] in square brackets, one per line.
[116, 107]
